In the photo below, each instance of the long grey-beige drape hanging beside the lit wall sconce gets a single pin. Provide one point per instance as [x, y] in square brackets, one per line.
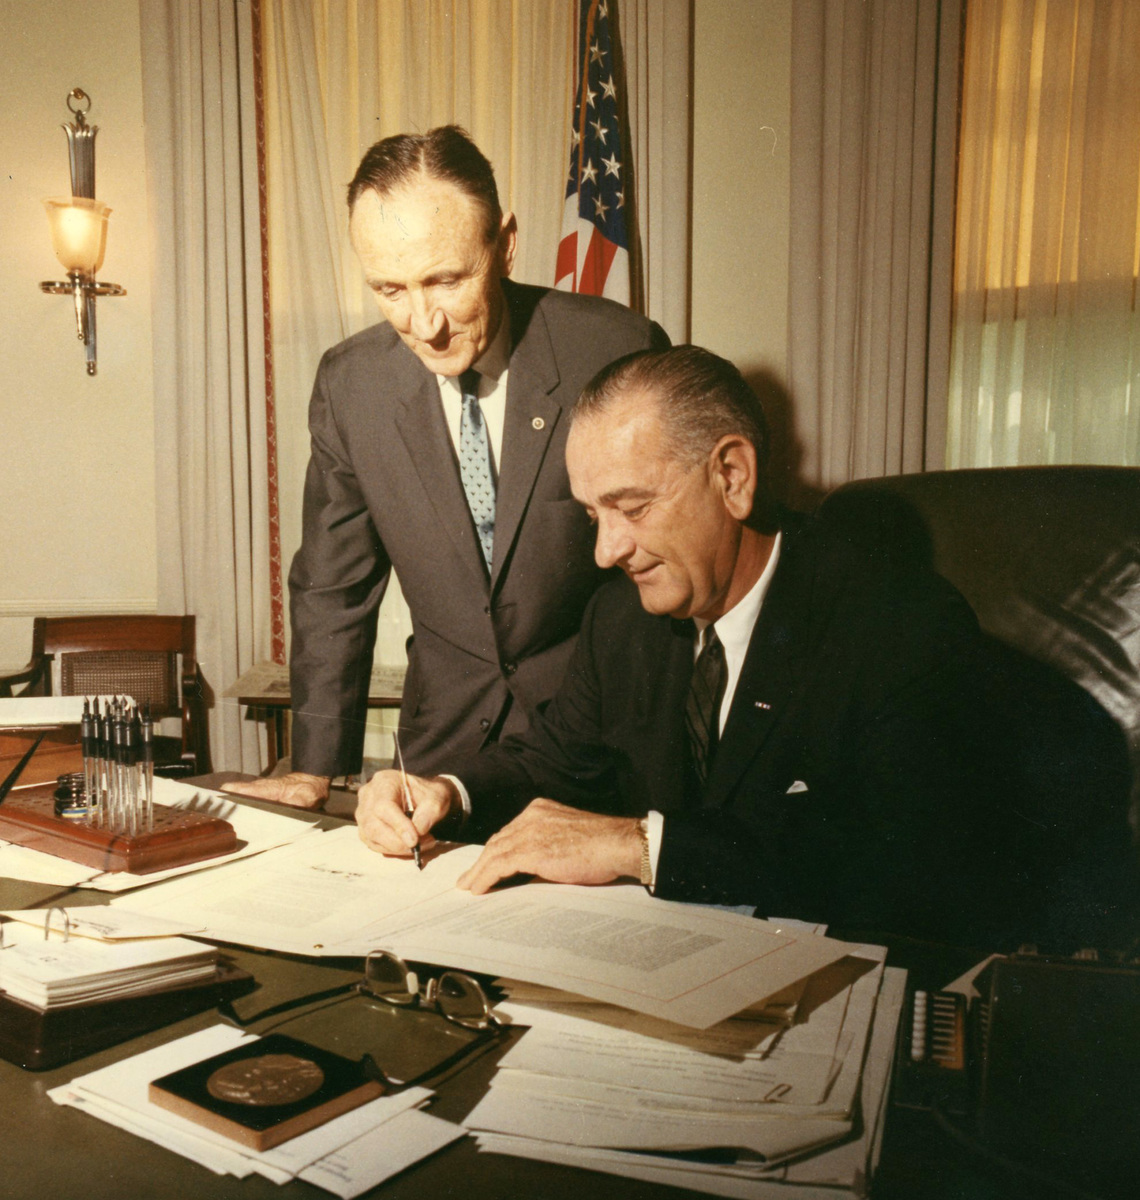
[209, 361]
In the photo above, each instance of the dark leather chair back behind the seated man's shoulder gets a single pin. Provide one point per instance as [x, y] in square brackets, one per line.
[1049, 557]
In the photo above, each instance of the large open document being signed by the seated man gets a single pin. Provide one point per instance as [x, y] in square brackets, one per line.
[329, 895]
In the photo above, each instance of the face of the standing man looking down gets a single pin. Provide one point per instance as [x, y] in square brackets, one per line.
[436, 278]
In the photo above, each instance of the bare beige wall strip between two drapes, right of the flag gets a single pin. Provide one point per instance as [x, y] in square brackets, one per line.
[742, 86]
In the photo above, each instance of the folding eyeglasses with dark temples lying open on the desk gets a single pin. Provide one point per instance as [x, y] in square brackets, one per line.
[454, 995]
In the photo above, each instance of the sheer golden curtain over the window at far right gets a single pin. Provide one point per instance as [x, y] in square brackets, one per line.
[1047, 333]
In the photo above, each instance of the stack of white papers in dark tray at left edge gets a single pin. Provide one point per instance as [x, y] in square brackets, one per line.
[57, 975]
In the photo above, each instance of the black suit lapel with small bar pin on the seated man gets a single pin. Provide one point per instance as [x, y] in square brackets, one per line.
[775, 669]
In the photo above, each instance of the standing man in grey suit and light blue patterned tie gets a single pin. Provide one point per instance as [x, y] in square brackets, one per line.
[439, 443]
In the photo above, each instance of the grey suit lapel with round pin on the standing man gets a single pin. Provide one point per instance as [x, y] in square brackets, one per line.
[531, 419]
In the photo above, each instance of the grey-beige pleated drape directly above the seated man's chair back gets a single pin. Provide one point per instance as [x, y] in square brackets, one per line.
[874, 98]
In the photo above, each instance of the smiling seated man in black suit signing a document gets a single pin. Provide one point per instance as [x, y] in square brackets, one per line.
[761, 713]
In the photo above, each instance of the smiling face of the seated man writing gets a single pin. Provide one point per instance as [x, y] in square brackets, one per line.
[664, 524]
